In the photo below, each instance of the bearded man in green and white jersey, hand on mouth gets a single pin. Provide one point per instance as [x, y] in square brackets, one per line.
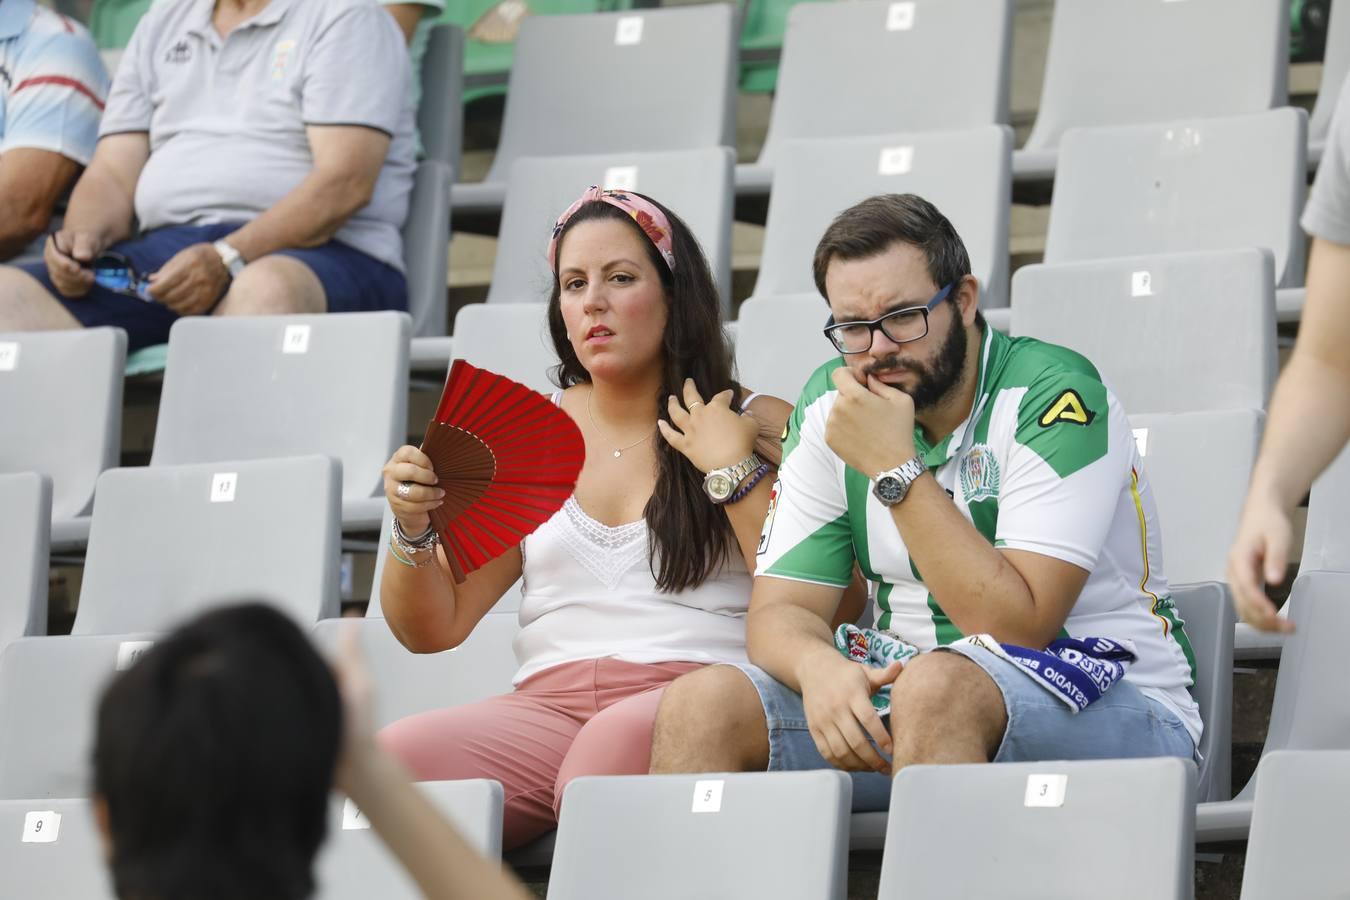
[983, 485]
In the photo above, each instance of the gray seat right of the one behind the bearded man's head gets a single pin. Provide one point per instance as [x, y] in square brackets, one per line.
[1214, 184]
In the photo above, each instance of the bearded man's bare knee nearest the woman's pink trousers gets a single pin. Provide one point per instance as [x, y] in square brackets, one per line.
[711, 720]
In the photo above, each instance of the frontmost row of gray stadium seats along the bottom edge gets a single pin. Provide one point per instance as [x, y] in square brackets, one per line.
[1037, 828]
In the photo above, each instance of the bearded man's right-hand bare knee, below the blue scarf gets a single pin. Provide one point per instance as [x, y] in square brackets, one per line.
[946, 710]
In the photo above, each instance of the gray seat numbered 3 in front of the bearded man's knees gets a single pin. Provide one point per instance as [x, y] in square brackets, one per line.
[1043, 831]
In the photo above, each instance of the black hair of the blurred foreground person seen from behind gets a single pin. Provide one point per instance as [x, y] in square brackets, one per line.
[215, 755]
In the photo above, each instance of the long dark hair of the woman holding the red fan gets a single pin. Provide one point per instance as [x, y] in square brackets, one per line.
[689, 538]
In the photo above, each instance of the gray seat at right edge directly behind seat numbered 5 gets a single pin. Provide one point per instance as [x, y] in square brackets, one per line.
[1312, 709]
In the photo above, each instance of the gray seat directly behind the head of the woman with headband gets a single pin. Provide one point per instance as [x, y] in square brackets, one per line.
[695, 184]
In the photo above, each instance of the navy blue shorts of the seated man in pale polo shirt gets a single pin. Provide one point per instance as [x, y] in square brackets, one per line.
[352, 280]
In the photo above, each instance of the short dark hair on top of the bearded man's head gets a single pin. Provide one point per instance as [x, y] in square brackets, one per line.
[873, 226]
